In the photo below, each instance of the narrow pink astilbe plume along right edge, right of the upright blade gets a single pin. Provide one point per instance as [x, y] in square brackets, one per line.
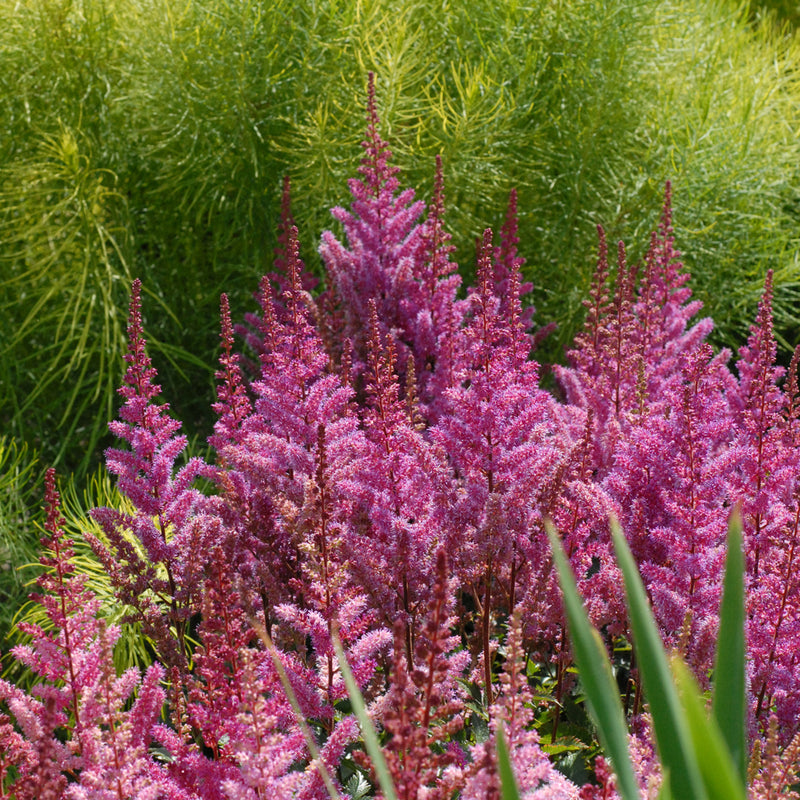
[765, 463]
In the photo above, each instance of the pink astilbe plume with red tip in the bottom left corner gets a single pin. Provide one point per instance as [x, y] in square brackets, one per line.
[78, 735]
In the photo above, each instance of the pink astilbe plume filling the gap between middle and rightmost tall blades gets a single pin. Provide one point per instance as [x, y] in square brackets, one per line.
[669, 484]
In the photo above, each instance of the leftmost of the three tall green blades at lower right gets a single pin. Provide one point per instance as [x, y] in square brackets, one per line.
[602, 693]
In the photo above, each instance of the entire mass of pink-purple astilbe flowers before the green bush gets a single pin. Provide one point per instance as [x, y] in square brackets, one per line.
[385, 461]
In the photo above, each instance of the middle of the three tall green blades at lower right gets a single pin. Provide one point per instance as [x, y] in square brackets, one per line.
[670, 725]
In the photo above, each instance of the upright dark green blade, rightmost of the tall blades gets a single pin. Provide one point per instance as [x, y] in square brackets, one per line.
[729, 706]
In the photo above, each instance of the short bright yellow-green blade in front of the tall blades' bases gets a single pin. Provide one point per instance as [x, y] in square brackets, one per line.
[716, 765]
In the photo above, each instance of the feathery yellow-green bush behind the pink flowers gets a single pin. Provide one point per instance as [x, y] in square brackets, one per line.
[149, 139]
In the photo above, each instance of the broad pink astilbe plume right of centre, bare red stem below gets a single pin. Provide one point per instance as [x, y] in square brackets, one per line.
[500, 436]
